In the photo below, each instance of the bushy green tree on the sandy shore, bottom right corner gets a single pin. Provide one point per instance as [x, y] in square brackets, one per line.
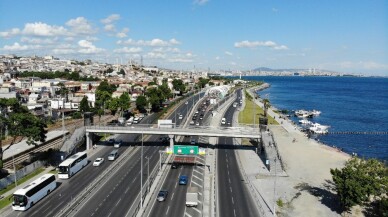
[359, 180]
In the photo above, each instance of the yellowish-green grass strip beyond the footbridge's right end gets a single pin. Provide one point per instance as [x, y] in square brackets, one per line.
[246, 116]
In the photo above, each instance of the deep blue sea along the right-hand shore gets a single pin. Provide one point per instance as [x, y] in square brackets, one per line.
[355, 108]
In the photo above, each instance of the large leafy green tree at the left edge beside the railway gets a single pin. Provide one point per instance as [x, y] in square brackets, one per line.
[21, 124]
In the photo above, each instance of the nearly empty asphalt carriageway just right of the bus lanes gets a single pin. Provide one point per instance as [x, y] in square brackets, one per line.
[117, 196]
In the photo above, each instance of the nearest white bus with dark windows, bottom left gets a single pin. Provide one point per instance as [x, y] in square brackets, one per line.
[26, 197]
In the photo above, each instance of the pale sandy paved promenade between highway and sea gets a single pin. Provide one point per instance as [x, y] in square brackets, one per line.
[306, 189]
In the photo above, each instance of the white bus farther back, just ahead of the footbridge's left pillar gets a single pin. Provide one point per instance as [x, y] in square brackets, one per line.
[72, 165]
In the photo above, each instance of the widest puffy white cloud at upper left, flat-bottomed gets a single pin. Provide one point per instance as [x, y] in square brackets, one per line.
[43, 29]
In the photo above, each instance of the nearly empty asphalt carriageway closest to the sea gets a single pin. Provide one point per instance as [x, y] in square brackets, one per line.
[234, 200]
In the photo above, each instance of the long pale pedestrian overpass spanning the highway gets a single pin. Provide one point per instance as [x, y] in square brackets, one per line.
[153, 129]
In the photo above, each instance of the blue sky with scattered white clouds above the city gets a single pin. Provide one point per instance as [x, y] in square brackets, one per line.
[348, 36]
